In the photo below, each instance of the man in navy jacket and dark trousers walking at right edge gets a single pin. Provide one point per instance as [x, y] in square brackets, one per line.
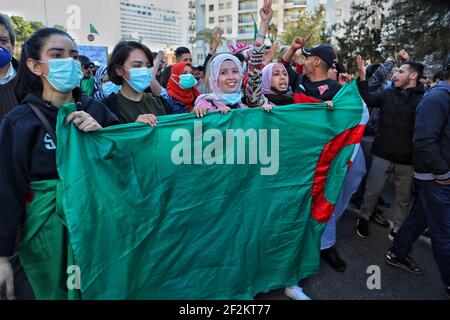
[432, 172]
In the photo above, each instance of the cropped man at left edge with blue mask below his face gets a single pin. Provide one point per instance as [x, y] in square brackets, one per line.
[8, 66]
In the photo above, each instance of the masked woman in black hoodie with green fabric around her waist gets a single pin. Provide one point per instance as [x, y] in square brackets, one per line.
[48, 79]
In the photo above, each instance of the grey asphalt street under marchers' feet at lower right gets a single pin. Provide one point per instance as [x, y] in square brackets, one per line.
[359, 253]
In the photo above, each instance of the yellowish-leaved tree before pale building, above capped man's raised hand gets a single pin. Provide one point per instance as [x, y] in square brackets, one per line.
[307, 23]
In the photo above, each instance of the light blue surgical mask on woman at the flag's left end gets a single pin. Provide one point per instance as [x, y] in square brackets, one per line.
[64, 74]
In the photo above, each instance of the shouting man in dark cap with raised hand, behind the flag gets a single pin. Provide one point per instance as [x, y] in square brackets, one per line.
[313, 85]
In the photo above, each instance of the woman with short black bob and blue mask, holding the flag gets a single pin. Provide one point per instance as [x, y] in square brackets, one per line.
[129, 66]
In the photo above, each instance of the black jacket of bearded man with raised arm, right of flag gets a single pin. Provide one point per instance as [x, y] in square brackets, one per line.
[393, 139]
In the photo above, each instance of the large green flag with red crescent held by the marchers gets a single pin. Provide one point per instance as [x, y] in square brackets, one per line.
[150, 217]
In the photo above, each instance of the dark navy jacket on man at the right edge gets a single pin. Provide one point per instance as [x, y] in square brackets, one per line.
[432, 134]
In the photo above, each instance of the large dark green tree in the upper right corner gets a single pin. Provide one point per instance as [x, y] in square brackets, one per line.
[420, 27]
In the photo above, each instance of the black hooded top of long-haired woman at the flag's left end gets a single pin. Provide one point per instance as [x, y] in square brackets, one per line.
[27, 153]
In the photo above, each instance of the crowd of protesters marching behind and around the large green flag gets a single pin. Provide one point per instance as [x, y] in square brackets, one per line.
[407, 136]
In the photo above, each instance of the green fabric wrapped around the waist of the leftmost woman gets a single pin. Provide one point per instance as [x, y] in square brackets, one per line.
[45, 251]
